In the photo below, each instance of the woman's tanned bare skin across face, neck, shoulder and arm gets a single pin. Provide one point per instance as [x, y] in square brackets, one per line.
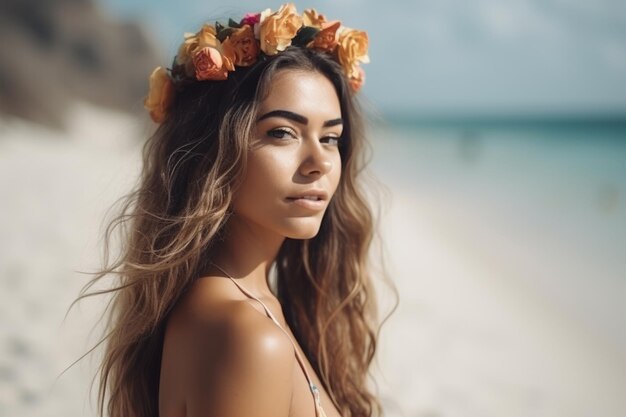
[222, 356]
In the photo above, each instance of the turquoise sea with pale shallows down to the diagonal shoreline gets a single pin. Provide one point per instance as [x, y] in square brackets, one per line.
[551, 194]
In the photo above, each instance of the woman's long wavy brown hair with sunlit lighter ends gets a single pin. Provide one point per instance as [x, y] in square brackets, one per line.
[192, 167]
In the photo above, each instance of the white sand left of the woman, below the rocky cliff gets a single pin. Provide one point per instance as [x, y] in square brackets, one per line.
[55, 189]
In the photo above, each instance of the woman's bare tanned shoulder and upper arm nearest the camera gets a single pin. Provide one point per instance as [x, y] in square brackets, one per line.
[223, 357]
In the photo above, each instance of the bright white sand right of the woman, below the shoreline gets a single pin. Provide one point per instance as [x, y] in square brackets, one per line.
[471, 339]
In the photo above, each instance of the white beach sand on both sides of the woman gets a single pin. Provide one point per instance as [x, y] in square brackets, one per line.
[479, 331]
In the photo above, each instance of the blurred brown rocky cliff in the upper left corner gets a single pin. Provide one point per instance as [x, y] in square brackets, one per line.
[55, 51]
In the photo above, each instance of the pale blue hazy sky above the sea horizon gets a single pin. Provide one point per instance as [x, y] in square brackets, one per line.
[462, 57]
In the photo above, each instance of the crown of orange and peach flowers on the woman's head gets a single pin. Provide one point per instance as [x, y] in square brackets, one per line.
[216, 50]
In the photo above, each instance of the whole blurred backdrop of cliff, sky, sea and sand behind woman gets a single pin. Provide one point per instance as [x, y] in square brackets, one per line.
[498, 129]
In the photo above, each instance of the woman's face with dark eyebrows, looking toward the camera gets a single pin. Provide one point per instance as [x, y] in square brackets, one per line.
[294, 164]
